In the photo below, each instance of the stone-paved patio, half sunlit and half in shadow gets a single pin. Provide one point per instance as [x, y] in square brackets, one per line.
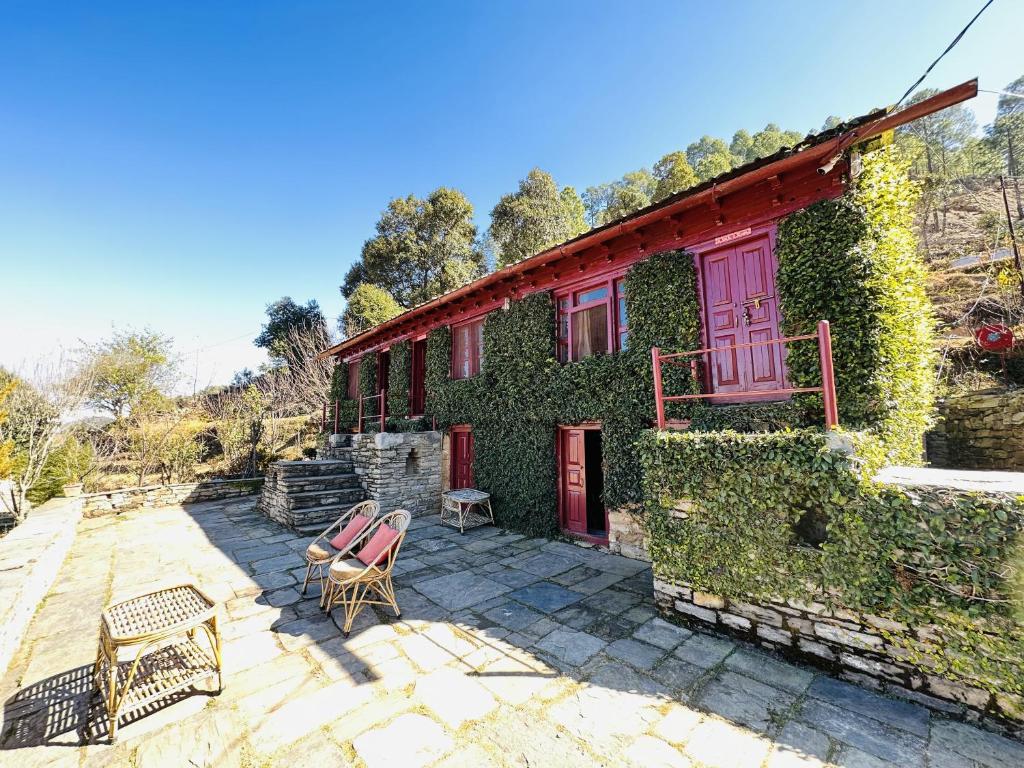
[510, 652]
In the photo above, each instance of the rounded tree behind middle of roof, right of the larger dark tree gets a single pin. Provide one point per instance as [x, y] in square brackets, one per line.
[534, 218]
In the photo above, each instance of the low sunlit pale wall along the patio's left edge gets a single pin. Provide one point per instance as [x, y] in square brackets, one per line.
[31, 556]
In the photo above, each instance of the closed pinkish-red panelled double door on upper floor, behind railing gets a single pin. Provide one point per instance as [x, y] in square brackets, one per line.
[742, 308]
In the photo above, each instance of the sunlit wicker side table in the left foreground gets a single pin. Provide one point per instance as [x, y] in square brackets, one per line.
[162, 629]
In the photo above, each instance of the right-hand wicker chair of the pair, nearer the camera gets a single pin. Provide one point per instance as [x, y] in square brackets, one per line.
[356, 584]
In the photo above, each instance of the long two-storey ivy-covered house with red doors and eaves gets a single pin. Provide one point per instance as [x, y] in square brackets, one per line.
[540, 374]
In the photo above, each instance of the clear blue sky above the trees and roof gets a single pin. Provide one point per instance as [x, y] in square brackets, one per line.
[180, 165]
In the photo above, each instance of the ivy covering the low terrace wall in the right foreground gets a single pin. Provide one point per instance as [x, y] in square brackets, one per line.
[728, 514]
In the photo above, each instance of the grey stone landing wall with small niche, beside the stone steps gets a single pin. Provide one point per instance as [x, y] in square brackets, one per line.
[401, 470]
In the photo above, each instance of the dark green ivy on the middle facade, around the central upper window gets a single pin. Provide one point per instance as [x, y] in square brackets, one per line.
[523, 395]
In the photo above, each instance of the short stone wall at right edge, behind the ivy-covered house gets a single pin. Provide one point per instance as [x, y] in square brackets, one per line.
[980, 431]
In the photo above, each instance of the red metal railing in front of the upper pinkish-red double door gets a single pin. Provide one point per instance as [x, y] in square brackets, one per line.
[828, 388]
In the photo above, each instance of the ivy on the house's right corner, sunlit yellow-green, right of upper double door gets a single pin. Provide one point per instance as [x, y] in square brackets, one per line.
[855, 263]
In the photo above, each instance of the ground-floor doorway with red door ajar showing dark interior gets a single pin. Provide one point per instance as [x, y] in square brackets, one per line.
[581, 479]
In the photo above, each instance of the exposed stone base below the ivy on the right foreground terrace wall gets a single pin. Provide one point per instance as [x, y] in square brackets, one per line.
[850, 646]
